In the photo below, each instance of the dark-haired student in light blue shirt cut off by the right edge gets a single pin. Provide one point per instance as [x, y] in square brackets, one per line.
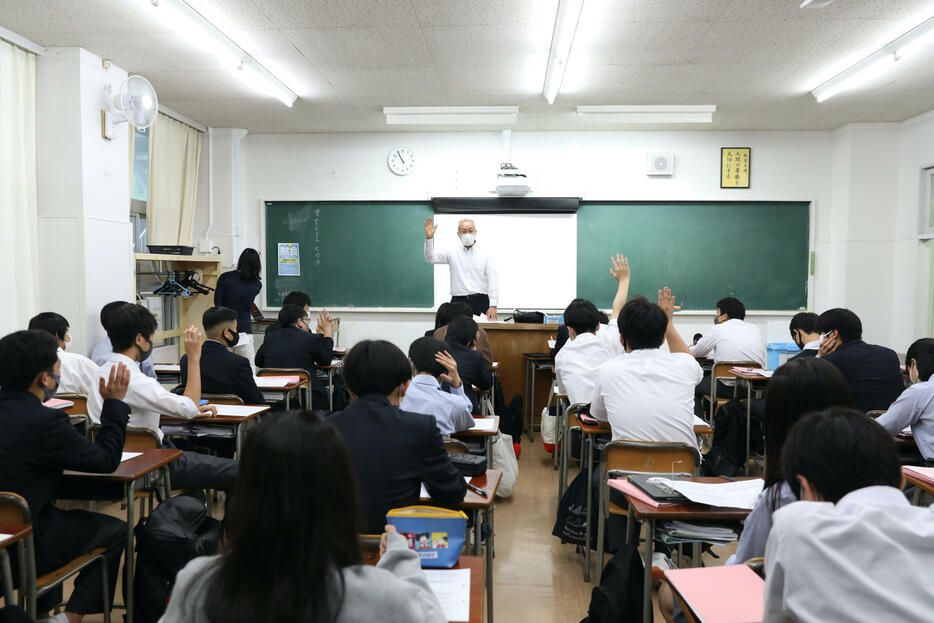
[915, 407]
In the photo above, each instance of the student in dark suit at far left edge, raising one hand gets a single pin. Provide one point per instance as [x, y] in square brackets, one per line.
[36, 444]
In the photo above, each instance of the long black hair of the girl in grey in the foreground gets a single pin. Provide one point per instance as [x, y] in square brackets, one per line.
[293, 522]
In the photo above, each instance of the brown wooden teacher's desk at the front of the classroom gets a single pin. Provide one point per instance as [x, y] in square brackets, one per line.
[509, 340]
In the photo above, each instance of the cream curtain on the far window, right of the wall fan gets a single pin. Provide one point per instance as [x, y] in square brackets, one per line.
[174, 153]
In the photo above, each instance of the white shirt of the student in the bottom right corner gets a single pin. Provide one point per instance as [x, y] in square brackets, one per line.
[867, 558]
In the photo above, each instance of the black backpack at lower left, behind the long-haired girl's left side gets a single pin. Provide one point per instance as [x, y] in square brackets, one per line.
[178, 530]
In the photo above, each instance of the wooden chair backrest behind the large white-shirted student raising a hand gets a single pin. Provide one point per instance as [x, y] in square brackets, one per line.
[629, 456]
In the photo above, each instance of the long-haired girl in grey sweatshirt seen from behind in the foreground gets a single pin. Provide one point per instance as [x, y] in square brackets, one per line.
[302, 561]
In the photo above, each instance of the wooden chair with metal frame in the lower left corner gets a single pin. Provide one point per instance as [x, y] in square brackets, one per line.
[15, 510]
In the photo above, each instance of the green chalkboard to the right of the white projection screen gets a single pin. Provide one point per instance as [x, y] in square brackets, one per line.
[704, 251]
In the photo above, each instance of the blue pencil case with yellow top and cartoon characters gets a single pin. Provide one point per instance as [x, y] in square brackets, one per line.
[436, 534]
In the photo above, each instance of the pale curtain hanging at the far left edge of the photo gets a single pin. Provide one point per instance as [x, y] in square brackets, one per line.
[18, 206]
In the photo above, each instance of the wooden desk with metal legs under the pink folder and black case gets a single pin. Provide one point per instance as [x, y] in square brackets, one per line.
[687, 512]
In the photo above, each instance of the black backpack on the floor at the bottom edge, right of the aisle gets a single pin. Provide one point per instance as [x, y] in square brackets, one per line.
[618, 598]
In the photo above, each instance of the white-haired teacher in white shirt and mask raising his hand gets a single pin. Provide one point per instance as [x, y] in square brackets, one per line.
[473, 275]
